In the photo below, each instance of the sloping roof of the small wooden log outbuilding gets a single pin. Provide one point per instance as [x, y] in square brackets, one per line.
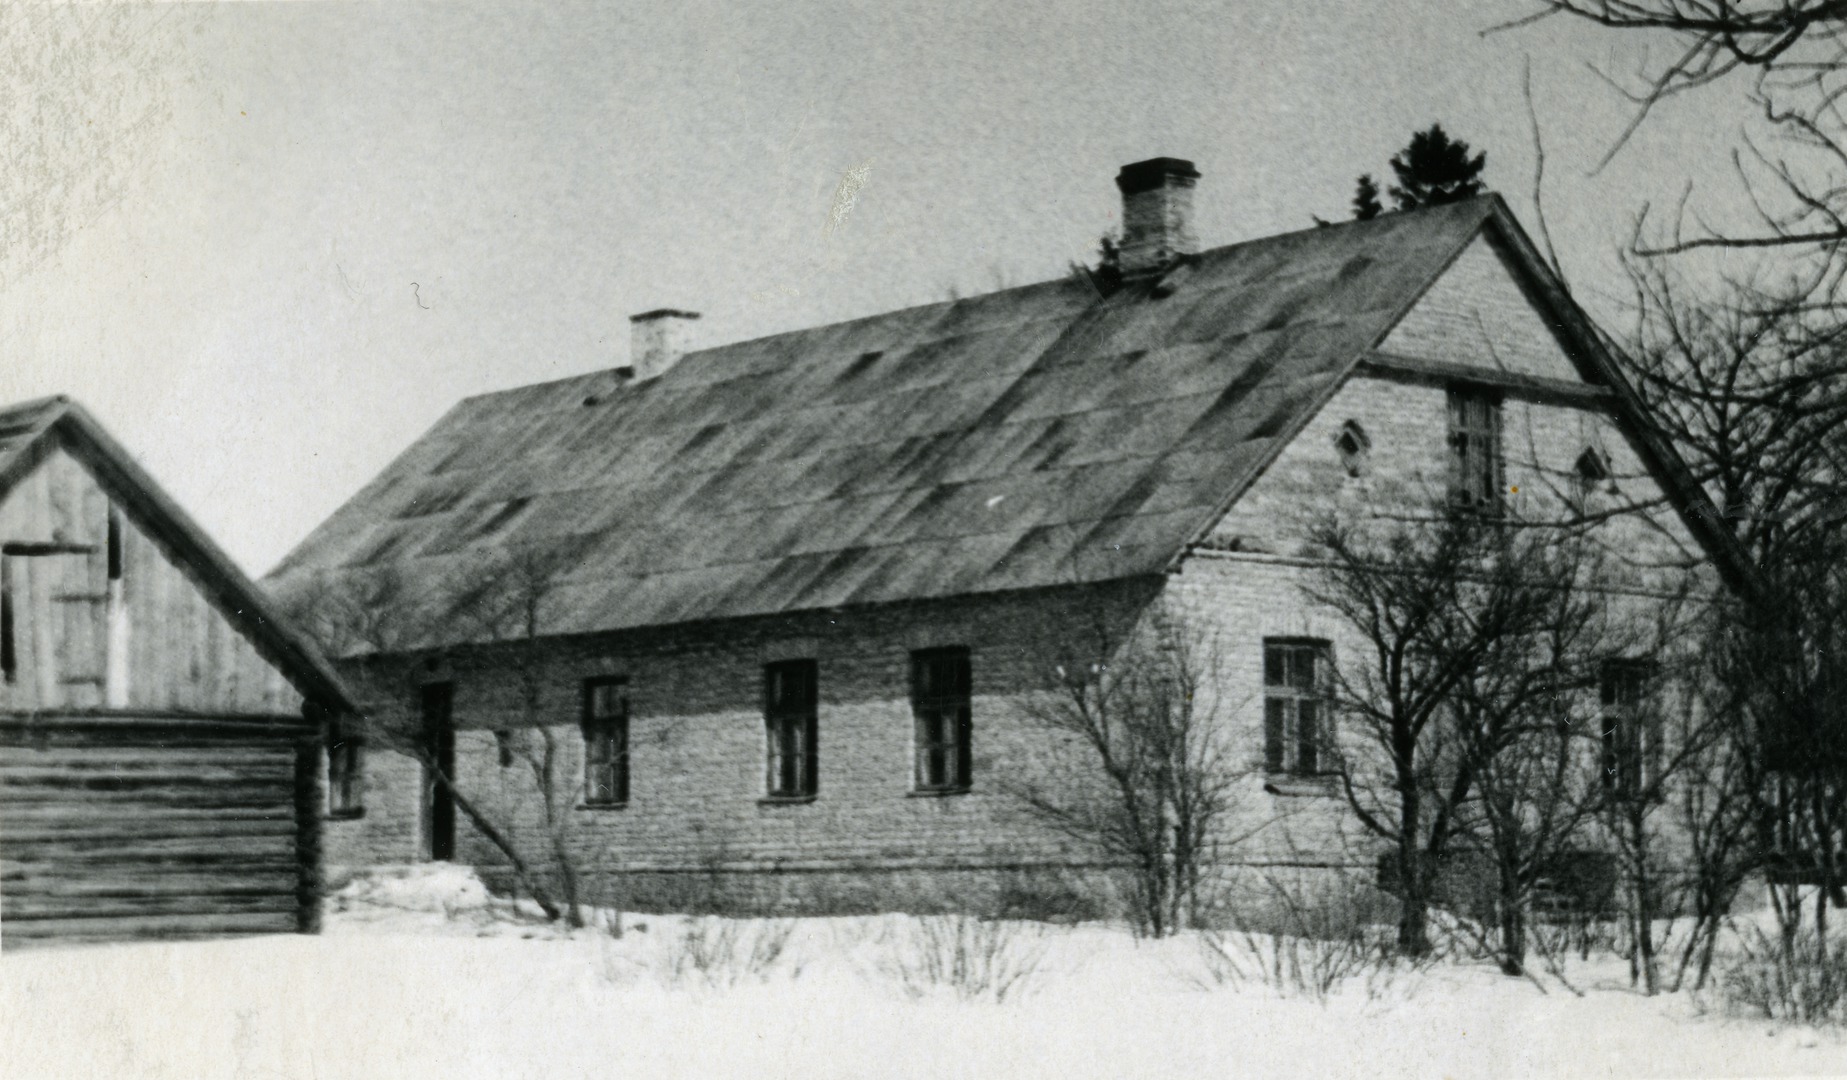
[34, 429]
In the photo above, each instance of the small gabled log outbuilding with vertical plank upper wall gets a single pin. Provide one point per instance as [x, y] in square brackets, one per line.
[160, 728]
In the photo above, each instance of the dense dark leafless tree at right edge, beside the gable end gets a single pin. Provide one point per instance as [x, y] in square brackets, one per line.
[1750, 381]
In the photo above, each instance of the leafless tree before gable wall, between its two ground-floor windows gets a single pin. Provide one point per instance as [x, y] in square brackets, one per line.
[1471, 629]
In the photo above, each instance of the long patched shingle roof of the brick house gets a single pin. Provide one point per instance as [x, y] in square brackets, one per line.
[1033, 437]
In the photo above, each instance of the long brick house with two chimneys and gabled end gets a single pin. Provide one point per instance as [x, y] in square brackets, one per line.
[779, 603]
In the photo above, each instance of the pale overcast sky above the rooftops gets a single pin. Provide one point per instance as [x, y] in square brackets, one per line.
[269, 245]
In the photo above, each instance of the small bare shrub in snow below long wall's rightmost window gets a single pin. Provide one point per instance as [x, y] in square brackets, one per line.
[971, 957]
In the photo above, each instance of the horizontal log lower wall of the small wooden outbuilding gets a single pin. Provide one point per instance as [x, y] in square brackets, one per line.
[156, 826]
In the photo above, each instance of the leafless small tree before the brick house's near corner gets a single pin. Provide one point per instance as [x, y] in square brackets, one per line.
[1153, 774]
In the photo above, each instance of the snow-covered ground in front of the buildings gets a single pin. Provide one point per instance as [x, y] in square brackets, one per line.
[424, 976]
